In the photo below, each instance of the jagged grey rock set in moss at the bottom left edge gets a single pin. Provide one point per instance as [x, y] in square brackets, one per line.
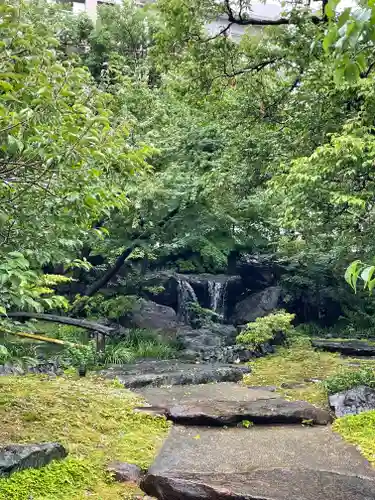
[17, 457]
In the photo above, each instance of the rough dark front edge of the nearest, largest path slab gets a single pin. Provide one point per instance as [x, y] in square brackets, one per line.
[261, 484]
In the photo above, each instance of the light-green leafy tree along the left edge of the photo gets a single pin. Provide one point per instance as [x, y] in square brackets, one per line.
[66, 156]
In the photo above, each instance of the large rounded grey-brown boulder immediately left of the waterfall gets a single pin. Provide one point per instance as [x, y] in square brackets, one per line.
[149, 315]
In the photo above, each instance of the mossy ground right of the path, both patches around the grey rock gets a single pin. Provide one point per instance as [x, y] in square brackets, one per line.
[296, 371]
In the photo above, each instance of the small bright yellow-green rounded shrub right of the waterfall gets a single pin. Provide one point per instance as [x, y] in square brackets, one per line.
[264, 329]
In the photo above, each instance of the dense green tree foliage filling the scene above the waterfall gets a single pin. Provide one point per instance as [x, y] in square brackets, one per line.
[148, 139]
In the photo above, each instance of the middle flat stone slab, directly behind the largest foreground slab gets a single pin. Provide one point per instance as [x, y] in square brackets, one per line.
[229, 404]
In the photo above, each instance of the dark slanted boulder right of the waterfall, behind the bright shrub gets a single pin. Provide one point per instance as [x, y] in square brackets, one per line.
[257, 305]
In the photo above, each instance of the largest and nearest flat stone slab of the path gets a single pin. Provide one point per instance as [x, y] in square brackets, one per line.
[259, 463]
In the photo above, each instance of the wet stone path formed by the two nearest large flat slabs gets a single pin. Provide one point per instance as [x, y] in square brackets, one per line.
[262, 462]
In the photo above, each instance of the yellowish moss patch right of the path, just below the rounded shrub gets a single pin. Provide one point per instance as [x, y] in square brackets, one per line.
[300, 364]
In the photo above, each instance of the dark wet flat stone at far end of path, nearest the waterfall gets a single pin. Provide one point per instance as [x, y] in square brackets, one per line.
[173, 372]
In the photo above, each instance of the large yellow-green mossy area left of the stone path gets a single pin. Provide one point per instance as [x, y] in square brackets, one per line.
[92, 418]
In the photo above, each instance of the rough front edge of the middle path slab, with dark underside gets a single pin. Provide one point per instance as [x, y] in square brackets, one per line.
[269, 411]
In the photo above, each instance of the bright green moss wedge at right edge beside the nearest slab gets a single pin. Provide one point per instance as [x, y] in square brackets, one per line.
[360, 431]
